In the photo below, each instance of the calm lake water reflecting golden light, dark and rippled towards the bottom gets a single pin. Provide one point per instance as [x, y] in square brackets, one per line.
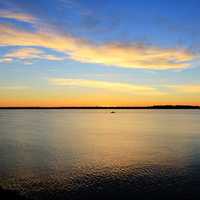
[82, 154]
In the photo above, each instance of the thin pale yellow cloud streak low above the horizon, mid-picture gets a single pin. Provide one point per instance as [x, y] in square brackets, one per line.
[113, 86]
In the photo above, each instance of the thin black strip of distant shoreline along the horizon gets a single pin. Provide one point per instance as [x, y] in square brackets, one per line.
[110, 107]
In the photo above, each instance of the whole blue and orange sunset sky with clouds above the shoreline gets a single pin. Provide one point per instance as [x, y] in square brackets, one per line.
[99, 53]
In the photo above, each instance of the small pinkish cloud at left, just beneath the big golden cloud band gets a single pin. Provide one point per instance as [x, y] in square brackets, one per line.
[27, 54]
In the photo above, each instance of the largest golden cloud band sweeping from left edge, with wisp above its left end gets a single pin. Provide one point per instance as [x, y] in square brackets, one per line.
[108, 54]
